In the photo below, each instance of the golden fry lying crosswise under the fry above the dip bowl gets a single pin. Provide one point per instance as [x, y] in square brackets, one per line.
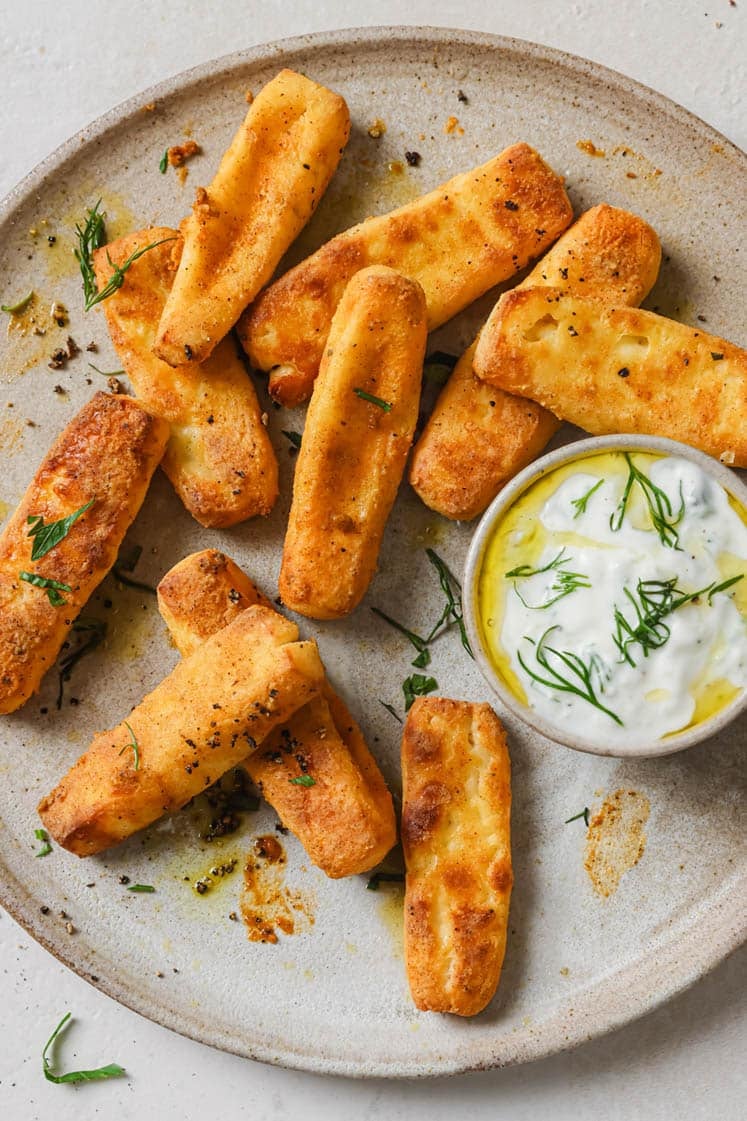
[478, 437]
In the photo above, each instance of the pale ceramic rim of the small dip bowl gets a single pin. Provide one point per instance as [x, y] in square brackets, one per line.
[542, 467]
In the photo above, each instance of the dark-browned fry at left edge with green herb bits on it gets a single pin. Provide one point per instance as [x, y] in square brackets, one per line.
[106, 456]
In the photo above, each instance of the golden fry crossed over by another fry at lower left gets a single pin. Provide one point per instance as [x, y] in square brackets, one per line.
[346, 820]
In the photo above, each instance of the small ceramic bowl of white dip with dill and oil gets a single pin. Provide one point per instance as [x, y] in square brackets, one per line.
[606, 596]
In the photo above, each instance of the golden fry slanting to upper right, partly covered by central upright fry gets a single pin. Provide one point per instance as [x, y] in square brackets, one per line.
[473, 233]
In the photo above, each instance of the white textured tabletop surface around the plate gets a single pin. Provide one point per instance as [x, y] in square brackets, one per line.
[62, 66]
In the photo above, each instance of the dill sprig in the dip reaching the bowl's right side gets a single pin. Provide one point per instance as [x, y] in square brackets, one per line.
[653, 601]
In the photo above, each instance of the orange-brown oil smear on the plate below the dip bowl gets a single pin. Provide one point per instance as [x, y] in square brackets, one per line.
[616, 840]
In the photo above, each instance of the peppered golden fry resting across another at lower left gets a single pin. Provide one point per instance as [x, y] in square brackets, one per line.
[213, 711]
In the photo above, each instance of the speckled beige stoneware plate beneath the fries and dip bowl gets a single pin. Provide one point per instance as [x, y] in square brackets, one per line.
[333, 997]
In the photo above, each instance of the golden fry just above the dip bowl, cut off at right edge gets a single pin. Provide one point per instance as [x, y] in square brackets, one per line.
[612, 370]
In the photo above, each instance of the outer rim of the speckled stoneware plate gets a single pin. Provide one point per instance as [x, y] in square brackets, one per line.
[686, 957]
